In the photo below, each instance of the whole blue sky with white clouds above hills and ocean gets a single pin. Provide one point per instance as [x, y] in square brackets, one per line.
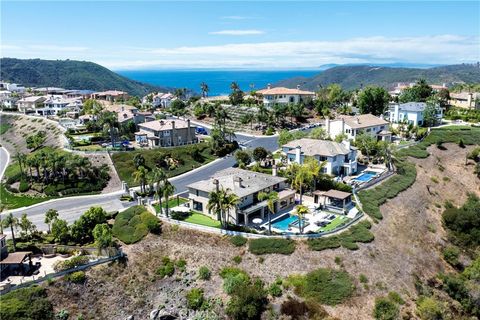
[130, 35]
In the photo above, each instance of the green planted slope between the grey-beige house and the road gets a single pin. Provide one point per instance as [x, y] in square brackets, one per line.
[123, 161]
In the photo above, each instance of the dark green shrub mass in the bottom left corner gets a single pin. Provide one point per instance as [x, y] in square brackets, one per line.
[26, 303]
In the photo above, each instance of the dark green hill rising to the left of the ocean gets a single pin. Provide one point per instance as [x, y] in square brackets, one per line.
[69, 74]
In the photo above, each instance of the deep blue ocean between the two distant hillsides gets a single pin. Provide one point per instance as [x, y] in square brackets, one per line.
[218, 81]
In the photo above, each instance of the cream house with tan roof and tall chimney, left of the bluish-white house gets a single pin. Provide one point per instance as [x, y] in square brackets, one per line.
[352, 126]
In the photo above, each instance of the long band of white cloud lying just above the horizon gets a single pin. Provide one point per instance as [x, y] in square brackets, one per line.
[439, 49]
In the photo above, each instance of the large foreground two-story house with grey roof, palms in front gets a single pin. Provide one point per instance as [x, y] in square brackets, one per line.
[246, 185]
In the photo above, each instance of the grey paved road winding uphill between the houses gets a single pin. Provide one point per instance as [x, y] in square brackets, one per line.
[71, 208]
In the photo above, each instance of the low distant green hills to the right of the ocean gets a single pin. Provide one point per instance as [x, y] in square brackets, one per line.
[352, 77]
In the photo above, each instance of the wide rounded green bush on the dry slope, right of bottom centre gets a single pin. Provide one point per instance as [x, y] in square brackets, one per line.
[325, 286]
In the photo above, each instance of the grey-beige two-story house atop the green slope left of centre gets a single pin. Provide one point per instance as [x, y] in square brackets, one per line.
[164, 133]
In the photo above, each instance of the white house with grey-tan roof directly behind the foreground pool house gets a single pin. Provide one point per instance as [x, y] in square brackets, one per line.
[339, 158]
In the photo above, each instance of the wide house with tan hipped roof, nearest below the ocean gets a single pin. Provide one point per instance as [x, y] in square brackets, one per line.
[283, 95]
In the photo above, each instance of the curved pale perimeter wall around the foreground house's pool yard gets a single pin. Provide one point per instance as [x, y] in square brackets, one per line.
[219, 231]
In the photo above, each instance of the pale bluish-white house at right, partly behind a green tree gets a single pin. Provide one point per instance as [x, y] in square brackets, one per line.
[410, 113]
